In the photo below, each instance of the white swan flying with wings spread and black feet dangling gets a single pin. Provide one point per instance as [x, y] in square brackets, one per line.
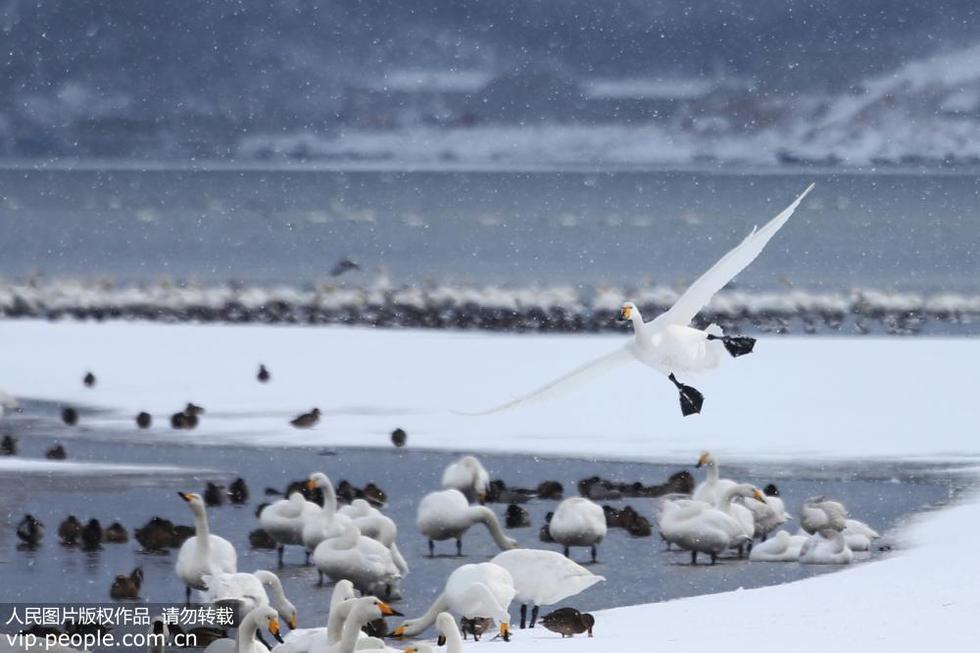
[668, 343]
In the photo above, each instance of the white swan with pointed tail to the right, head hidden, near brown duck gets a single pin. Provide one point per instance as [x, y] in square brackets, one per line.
[543, 578]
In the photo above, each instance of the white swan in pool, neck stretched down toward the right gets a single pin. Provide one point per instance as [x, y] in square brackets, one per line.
[447, 515]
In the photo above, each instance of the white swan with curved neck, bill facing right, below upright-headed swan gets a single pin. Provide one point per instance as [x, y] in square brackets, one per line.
[699, 527]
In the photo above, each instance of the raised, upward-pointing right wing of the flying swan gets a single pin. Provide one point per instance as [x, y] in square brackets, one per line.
[701, 291]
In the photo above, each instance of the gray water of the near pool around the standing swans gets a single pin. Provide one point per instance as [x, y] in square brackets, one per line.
[637, 569]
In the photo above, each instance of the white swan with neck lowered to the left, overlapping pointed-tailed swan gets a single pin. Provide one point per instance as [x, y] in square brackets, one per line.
[472, 590]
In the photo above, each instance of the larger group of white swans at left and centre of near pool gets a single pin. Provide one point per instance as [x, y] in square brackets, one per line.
[354, 545]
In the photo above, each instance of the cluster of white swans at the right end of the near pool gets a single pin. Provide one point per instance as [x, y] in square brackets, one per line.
[724, 514]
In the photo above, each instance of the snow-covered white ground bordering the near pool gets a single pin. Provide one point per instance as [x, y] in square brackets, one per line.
[795, 399]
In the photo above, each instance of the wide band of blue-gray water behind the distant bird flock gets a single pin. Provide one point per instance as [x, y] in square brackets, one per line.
[893, 230]
